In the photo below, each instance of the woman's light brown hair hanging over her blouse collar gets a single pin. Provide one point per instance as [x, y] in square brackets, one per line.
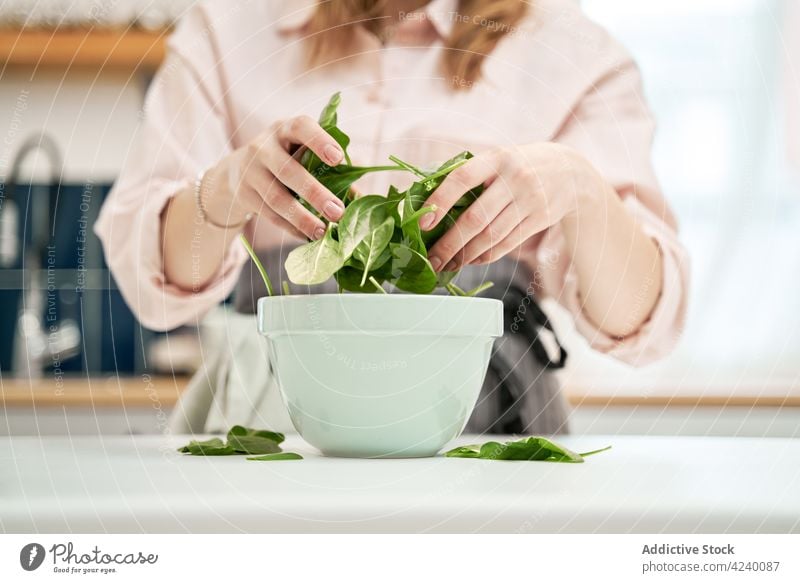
[477, 28]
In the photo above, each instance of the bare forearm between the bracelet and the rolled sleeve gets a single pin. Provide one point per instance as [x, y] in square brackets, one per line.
[193, 249]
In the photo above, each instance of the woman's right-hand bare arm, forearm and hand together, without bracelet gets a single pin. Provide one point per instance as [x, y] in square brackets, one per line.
[618, 265]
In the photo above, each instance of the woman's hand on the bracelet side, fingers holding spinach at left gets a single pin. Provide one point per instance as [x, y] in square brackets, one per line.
[258, 178]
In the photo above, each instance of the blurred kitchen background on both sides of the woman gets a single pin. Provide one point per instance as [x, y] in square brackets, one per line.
[723, 77]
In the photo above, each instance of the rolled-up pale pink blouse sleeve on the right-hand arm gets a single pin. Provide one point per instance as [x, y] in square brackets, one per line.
[613, 128]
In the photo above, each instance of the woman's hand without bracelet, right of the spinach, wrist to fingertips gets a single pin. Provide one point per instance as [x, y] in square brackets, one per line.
[528, 189]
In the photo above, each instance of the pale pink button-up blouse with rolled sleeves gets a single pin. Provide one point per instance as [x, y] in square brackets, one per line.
[234, 67]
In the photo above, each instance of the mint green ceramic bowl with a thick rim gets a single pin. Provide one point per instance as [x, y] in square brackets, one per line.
[379, 375]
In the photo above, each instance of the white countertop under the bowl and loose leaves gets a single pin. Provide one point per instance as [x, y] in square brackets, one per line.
[644, 484]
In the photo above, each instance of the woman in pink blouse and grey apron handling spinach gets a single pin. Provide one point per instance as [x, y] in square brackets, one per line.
[549, 103]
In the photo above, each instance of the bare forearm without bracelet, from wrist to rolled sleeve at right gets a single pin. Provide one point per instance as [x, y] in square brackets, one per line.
[618, 267]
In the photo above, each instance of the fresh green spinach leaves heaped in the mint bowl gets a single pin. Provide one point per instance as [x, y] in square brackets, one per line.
[378, 238]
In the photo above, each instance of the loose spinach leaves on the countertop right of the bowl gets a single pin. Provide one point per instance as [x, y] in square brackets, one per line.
[527, 449]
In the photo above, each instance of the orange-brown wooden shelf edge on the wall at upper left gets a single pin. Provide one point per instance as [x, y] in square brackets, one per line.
[98, 49]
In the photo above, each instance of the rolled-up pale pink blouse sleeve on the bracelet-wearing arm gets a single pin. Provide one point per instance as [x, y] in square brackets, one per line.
[184, 130]
